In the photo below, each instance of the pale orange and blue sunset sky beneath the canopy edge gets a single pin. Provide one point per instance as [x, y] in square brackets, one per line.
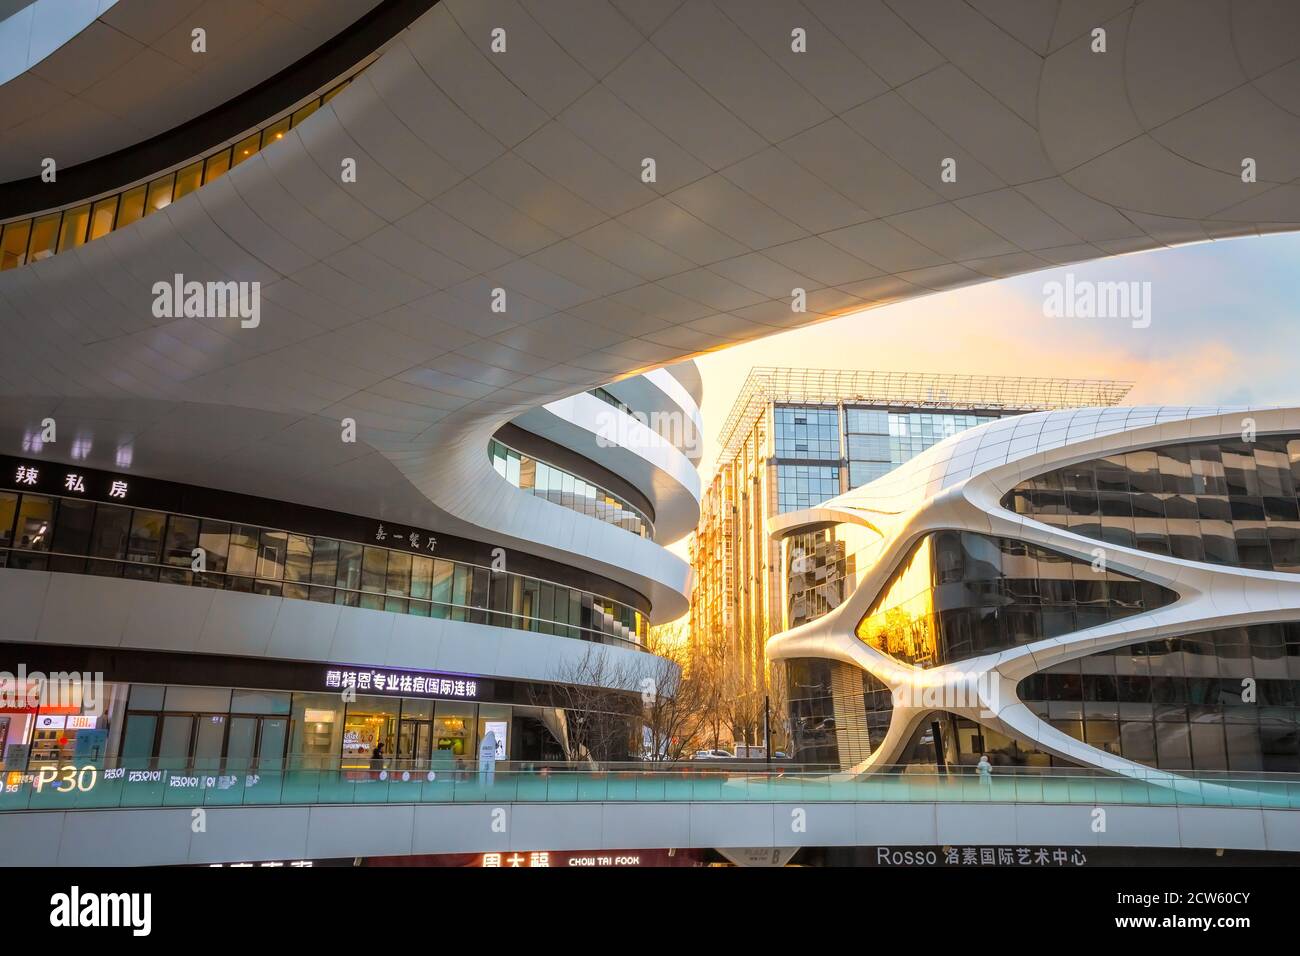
[1225, 330]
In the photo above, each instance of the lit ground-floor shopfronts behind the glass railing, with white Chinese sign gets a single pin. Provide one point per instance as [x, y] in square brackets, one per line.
[318, 723]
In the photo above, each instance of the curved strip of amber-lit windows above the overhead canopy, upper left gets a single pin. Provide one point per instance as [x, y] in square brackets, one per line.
[33, 239]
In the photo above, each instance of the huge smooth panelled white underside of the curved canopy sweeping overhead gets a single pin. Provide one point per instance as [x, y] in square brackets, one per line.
[523, 171]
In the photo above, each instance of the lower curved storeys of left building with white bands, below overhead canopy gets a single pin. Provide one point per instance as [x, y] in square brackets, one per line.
[228, 629]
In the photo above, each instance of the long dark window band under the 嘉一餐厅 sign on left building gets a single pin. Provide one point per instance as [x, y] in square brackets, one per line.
[44, 533]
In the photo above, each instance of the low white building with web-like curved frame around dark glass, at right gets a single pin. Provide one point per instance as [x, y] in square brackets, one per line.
[1113, 589]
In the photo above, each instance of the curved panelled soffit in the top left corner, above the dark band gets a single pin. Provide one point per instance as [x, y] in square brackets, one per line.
[129, 72]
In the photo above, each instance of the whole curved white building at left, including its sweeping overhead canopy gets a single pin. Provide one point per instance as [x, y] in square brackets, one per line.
[387, 179]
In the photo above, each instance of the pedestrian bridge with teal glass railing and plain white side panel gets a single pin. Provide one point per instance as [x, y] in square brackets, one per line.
[161, 817]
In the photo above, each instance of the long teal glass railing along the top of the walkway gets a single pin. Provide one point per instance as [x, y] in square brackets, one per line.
[124, 788]
